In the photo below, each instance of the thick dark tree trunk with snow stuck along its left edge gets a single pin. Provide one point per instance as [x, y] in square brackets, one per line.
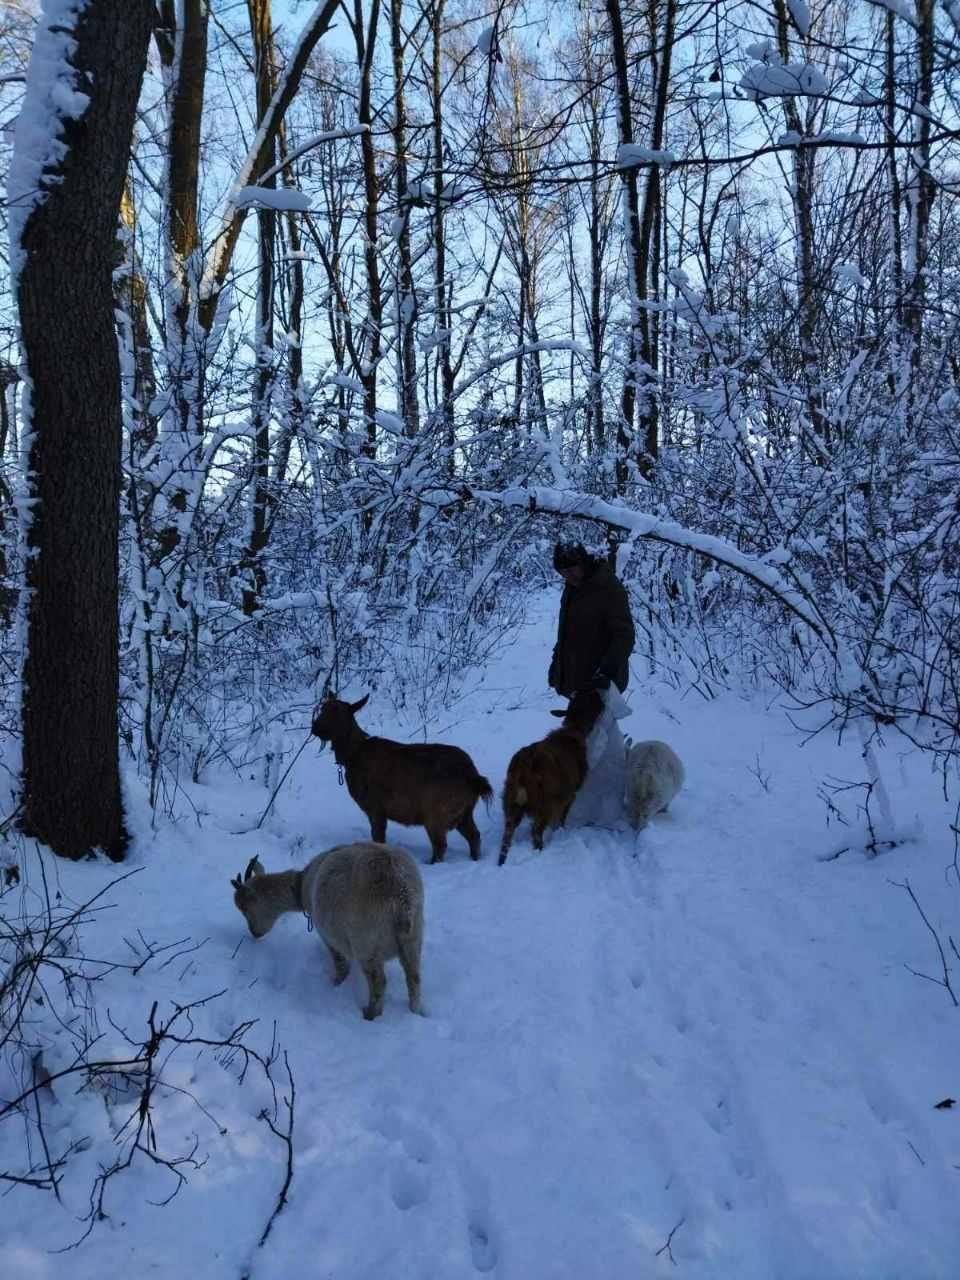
[66, 298]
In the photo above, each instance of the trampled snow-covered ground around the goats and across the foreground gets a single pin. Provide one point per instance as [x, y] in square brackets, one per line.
[703, 1031]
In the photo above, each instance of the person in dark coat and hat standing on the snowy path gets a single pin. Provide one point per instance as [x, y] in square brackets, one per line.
[596, 629]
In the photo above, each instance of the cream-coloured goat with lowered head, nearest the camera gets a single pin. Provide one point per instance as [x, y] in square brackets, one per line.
[368, 906]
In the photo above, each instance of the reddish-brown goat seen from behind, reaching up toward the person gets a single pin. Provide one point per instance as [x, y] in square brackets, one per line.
[543, 779]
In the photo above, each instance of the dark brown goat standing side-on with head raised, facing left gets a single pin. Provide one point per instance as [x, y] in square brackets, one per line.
[419, 785]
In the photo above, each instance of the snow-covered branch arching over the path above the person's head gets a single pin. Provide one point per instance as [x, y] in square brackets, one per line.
[644, 525]
